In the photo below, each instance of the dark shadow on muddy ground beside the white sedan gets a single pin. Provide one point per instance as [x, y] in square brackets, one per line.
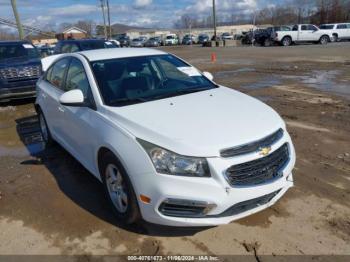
[79, 185]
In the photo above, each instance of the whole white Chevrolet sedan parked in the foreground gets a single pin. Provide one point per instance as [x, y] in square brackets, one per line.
[167, 142]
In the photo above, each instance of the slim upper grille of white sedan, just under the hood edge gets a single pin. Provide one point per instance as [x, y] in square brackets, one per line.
[254, 146]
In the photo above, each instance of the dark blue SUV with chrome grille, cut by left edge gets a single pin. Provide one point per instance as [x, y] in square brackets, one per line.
[20, 68]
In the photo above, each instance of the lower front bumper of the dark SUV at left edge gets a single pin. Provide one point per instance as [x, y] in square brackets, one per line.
[17, 90]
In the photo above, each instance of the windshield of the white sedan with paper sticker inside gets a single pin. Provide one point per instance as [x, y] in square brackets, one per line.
[127, 81]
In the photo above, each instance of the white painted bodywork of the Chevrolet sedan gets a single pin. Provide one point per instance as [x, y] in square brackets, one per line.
[199, 125]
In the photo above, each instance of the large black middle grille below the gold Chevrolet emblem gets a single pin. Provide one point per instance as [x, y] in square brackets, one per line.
[259, 171]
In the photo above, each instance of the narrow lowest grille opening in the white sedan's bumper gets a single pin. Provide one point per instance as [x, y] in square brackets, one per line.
[247, 205]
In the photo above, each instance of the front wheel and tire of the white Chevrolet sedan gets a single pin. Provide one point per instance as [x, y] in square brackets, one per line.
[119, 190]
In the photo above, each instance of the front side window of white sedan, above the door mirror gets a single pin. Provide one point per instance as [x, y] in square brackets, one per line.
[77, 79]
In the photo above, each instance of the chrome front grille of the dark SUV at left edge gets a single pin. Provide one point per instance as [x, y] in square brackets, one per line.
[14, 73]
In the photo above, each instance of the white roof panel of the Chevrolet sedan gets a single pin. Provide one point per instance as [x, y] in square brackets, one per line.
[114, 53]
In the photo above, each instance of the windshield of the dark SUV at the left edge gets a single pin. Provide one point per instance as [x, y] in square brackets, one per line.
[18, 50]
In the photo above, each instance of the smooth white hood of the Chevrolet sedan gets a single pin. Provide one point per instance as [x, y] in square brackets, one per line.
[199, 124]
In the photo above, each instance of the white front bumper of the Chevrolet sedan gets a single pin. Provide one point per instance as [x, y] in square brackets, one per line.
[217, 192]
